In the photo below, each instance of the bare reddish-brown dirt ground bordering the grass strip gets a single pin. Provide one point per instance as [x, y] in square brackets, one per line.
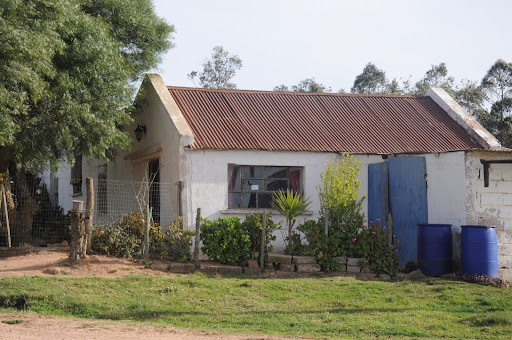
[32, 326]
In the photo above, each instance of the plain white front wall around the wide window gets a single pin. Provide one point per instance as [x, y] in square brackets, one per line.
[208, 182]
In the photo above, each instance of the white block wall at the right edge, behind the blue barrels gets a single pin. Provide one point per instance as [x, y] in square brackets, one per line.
[492, 205]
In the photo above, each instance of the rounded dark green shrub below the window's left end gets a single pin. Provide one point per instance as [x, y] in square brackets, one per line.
[225, 240]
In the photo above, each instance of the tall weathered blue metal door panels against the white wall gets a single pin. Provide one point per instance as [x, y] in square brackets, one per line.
[399, 186]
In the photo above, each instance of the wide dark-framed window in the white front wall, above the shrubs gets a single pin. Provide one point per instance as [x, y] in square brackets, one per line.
[253, 186]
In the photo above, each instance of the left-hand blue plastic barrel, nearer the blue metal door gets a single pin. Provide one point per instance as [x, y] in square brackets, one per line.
[434, 248]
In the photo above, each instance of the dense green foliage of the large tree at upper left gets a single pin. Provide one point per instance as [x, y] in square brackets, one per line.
[67, 72]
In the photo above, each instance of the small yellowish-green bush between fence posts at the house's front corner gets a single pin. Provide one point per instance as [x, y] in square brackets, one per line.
[178, 241]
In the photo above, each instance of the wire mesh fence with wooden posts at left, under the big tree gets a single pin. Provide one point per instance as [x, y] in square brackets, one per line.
[37, 210]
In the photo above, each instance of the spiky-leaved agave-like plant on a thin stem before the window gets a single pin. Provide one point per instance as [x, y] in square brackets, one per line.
[291, 204]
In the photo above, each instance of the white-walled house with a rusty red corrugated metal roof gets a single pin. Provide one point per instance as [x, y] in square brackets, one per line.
[226, 151]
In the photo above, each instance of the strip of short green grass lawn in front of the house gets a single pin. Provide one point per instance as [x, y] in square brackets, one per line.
[331, 307]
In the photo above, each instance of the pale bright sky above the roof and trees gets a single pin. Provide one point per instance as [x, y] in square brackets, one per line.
[285, 41]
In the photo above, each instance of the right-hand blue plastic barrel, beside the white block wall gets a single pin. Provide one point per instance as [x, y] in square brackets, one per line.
[479, 250]
